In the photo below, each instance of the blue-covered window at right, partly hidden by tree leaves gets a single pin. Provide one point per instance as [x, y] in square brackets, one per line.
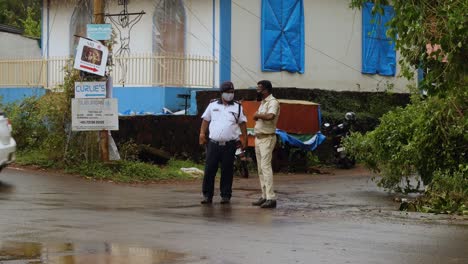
[378, 50]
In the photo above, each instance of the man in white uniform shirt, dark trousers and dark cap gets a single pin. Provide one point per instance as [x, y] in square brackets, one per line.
[223, 117]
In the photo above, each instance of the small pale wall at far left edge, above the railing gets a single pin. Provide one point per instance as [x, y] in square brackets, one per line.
[17, 46]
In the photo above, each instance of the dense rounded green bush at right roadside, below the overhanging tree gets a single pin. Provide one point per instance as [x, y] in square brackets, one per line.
[424, 137]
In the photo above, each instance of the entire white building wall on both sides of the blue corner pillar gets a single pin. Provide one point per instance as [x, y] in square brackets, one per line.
[332, 34]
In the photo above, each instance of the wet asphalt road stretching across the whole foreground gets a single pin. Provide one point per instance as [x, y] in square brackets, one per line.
[335, 218]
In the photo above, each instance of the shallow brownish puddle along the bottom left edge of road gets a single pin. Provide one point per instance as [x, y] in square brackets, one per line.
[74, 253]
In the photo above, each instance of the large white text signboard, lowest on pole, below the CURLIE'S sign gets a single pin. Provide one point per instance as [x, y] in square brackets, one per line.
[95, 114]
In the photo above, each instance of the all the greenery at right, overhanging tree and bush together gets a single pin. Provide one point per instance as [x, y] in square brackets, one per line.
[429, 137]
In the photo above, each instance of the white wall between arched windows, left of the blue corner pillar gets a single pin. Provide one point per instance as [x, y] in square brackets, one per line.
[199, 27]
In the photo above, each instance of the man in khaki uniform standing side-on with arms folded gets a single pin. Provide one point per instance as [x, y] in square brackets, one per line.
[265, 139]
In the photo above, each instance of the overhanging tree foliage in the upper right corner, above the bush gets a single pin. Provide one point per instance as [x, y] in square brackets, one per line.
[423, 25]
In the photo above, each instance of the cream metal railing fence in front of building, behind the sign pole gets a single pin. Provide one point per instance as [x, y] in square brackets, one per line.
[182, 70]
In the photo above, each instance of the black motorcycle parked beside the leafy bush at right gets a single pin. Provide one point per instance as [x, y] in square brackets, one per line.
[337, 133]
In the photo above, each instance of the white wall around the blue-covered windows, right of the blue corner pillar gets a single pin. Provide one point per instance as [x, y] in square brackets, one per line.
[332, 51]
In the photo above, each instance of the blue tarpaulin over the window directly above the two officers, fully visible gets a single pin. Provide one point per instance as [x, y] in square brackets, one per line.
[283, 35]
